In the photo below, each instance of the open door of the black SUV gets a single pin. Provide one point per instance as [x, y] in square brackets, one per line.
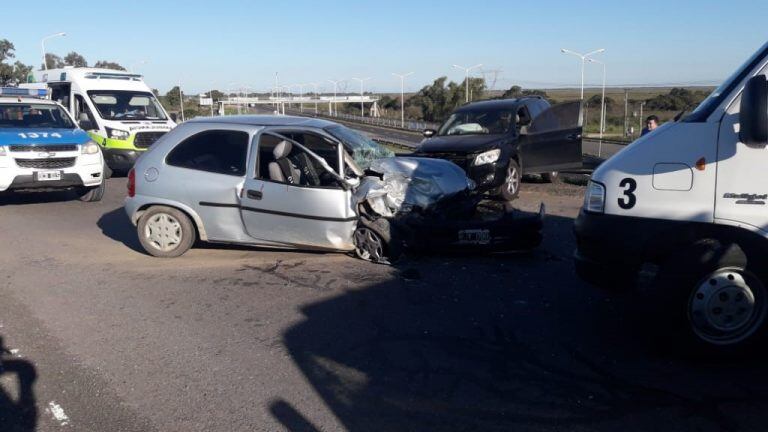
[553, 140]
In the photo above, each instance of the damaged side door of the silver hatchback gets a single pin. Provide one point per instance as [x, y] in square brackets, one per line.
[307, 214]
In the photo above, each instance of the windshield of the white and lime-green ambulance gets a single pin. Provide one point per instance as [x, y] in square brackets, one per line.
[126, 105]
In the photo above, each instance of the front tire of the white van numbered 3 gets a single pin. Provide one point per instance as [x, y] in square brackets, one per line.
[713, 301]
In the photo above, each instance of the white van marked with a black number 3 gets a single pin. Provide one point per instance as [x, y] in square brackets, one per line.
[687, 204]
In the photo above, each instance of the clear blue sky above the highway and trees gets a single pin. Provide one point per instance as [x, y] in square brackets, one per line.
[215, 44]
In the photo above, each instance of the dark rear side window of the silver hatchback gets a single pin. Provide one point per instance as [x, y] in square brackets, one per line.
[216, 151]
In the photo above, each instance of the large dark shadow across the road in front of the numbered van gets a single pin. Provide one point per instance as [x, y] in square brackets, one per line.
[505, 343]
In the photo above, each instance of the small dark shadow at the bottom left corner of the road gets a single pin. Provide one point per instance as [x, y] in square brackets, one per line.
[18, 409]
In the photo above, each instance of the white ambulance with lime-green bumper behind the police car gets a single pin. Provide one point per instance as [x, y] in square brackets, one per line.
[117, 108]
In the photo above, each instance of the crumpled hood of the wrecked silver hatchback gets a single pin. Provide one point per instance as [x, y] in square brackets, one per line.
[411, 182]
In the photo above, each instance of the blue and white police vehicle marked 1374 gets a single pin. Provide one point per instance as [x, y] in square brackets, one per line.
[41, 147]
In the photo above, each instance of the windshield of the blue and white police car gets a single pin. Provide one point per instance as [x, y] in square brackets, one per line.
[34, 116]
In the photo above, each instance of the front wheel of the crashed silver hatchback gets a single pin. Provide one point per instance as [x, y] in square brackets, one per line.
[374, 242]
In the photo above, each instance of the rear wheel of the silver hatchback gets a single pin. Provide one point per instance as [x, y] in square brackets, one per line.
[165, 232]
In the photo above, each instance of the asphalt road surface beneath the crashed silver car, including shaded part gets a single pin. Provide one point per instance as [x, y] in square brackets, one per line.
[99, 336]
